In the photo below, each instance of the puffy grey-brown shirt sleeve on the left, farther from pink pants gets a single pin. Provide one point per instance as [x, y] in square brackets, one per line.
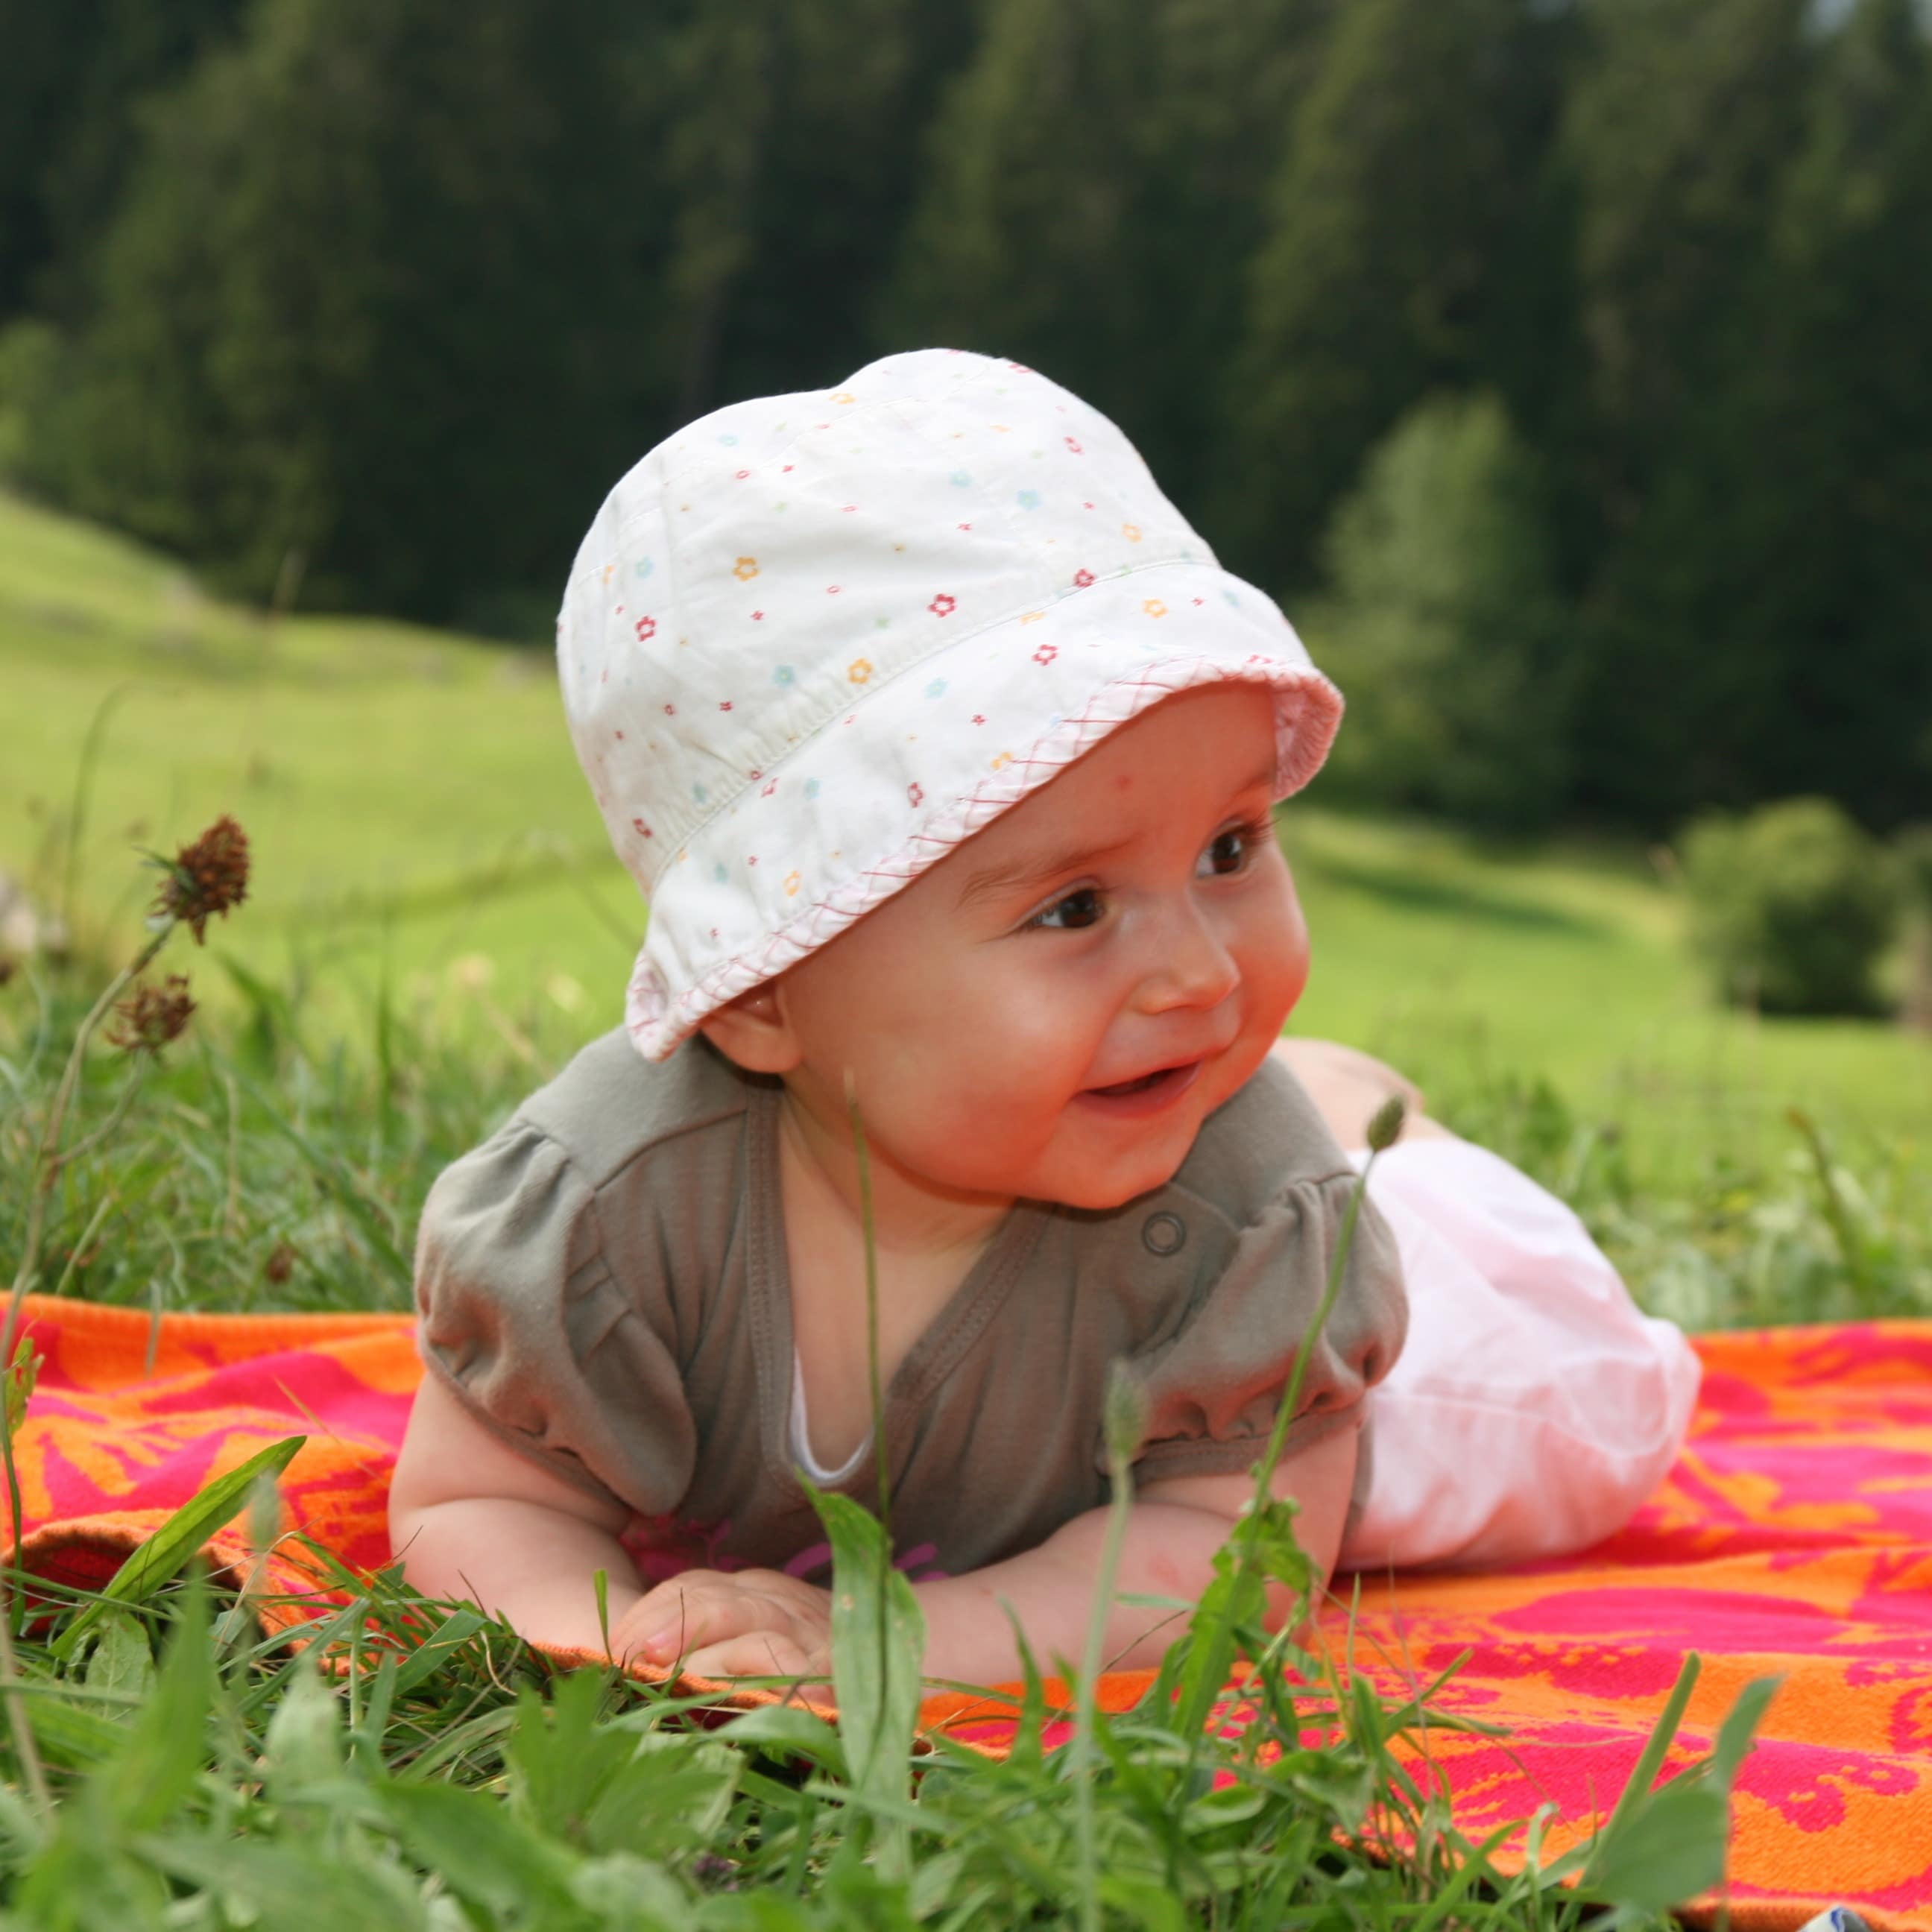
[528, 1322]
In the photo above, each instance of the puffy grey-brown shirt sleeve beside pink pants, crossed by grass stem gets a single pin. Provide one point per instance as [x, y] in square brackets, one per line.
[1214, 1388]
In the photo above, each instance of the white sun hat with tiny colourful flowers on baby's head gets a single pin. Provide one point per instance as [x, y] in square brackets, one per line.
[814, 642]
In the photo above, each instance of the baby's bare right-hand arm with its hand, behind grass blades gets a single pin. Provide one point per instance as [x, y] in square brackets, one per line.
[756, 1622]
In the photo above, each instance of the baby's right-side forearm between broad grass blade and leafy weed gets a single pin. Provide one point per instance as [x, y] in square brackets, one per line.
[1170, 1552]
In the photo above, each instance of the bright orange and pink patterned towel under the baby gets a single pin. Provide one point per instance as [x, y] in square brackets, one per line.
[1794, 1537]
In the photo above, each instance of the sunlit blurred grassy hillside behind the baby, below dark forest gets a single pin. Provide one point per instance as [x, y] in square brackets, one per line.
[418, 818]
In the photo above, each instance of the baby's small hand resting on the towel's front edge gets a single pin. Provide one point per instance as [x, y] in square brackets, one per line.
[747, 1624]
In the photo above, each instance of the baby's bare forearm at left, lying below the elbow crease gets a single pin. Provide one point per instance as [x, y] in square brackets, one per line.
[523, 1562]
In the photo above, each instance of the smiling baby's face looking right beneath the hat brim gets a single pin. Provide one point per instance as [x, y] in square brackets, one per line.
[1131, 919]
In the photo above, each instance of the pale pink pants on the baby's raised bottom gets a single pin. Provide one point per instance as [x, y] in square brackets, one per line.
[1535, 1407]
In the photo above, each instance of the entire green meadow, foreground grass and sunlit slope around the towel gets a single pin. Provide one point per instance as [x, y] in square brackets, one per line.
[432, 924]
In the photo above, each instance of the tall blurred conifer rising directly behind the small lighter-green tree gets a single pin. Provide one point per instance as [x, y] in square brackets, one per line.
[1404, 181]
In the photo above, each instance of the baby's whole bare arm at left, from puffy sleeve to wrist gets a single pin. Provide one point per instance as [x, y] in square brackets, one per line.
[470, 1518]
